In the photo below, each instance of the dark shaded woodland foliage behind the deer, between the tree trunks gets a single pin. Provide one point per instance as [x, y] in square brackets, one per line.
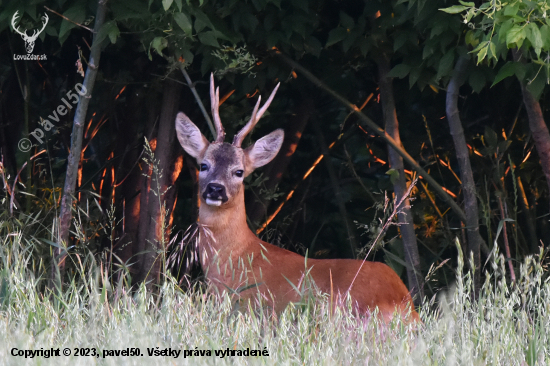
[148, 48]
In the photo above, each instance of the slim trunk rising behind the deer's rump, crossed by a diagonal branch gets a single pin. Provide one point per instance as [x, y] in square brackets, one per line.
[404, 216]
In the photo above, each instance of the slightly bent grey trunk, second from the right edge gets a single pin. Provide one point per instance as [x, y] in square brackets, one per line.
[475, 241]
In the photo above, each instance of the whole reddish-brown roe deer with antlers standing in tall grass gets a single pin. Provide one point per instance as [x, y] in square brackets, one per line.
[233, 257]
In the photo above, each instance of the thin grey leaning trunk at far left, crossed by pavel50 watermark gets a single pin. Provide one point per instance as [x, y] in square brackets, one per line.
[65, 216]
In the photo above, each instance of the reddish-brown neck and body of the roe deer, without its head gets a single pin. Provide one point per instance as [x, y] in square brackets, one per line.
[257, 262]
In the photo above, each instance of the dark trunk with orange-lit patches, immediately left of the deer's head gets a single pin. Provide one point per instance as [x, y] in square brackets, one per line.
[158, 194]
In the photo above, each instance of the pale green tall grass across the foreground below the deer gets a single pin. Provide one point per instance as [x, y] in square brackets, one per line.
[505, 326]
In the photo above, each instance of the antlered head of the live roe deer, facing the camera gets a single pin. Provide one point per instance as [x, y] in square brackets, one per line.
[223, 166]
